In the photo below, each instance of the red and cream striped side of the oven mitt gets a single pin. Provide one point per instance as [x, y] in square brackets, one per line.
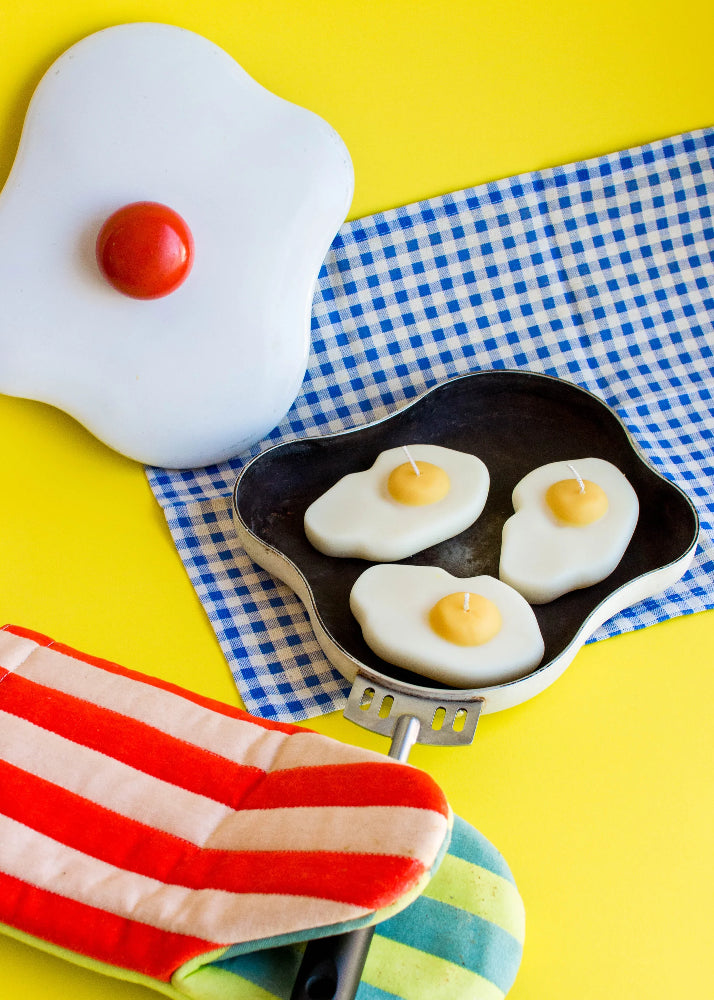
[142, 825]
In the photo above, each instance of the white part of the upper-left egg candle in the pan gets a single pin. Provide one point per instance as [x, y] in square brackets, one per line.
[357, 517]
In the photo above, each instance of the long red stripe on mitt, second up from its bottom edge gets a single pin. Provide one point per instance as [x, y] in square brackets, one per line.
[368, 880]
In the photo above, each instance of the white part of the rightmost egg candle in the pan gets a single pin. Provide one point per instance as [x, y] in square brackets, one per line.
[542, 557]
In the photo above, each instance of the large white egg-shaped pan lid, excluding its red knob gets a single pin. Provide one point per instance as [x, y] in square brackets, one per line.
[152, 112]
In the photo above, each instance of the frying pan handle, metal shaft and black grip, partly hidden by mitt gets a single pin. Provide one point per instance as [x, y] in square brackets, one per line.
[331, 968]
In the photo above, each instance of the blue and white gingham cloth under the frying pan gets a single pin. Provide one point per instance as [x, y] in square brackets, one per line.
[600, 272]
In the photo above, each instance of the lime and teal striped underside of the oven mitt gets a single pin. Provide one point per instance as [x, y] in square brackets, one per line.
[463, 938]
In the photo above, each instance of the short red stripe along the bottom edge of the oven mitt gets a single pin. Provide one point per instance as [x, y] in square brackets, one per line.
[95, 933]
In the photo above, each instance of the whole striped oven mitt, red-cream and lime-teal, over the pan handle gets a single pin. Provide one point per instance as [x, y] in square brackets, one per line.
[166, 839]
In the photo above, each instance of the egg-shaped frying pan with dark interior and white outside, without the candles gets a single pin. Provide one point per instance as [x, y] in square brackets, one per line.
[514, 421]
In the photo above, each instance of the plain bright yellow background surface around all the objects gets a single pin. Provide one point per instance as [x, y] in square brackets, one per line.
[599, 791]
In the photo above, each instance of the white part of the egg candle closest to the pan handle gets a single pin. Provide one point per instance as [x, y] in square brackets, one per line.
[392, 604]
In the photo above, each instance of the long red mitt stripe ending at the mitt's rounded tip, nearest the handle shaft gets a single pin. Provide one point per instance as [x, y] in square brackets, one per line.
[238, 786]
